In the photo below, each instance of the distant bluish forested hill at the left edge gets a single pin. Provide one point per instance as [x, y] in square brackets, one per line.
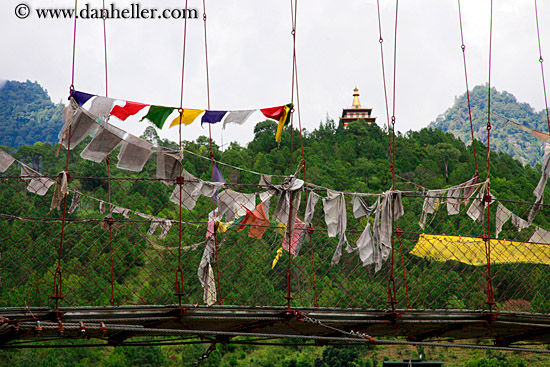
[27, 114]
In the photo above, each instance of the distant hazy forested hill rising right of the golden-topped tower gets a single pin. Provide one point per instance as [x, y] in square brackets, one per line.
[505, 137]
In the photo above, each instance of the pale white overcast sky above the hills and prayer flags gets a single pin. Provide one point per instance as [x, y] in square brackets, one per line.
[250, 52]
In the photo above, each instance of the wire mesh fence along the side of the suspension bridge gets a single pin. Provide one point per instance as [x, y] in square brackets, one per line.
[122, 246]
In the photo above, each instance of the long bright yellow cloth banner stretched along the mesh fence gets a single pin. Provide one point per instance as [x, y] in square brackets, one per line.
[471, 250]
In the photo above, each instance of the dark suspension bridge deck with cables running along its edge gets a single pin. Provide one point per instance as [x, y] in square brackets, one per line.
[221, 323]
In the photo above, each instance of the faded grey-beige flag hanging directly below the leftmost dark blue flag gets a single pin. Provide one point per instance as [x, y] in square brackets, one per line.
[79, 122]
